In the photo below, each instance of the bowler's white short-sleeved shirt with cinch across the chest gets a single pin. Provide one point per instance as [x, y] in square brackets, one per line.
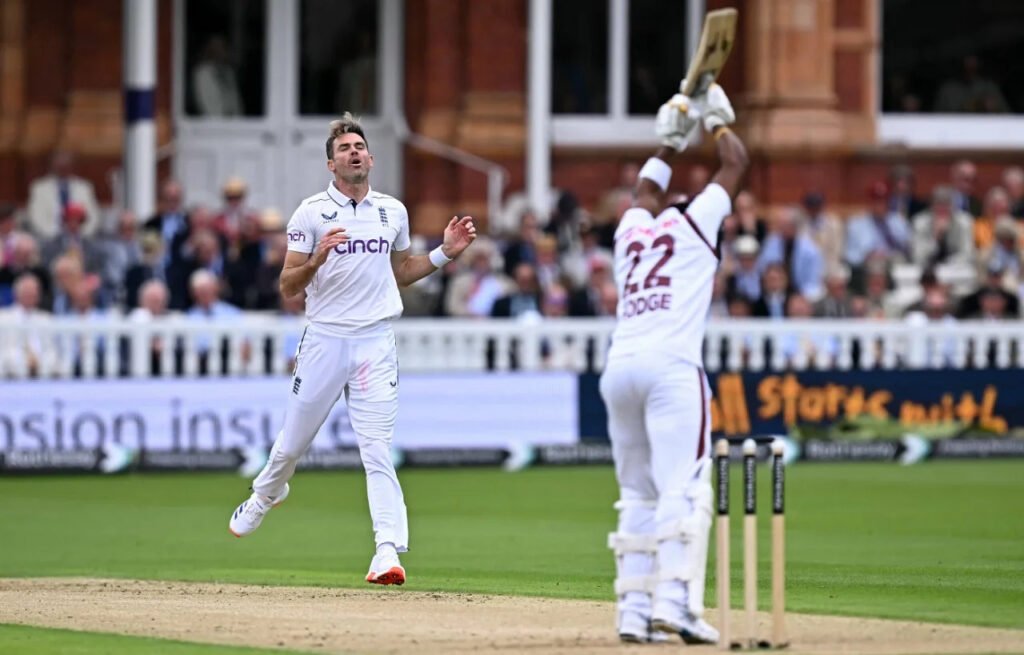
[355, 290]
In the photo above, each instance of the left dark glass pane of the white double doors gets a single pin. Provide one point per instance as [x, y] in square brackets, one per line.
[225, 58]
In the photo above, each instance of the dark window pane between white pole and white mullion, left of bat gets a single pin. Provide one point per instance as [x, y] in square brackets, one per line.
[580, 57]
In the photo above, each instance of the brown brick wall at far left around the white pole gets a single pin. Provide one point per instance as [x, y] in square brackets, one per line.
[67, 69]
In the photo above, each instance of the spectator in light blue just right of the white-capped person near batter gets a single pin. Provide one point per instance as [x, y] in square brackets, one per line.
[789, 245]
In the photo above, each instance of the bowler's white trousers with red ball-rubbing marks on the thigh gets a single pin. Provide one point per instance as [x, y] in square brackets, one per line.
[366, 370]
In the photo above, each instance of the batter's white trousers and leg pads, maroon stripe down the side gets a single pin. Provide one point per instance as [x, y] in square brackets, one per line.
[660, 425]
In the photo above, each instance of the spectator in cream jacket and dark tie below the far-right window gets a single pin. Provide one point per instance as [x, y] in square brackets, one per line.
[943, 234]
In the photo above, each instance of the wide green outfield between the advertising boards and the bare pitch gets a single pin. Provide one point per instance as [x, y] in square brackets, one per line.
[942, 542]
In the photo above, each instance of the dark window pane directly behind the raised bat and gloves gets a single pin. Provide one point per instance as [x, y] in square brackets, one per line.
[658, 53]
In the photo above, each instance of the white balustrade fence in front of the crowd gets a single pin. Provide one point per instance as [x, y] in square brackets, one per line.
[262, 345]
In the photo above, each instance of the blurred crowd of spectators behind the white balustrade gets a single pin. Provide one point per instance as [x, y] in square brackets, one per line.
[952, 253]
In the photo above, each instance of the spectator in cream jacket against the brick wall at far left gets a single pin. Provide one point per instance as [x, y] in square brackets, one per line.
[51, 196]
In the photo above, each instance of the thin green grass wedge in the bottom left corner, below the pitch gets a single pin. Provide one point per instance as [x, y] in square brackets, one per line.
[19, 640]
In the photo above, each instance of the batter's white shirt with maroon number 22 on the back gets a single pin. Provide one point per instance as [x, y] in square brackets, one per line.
[665, 272]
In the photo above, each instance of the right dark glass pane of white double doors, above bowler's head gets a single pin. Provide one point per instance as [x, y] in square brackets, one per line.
[338, 58]
